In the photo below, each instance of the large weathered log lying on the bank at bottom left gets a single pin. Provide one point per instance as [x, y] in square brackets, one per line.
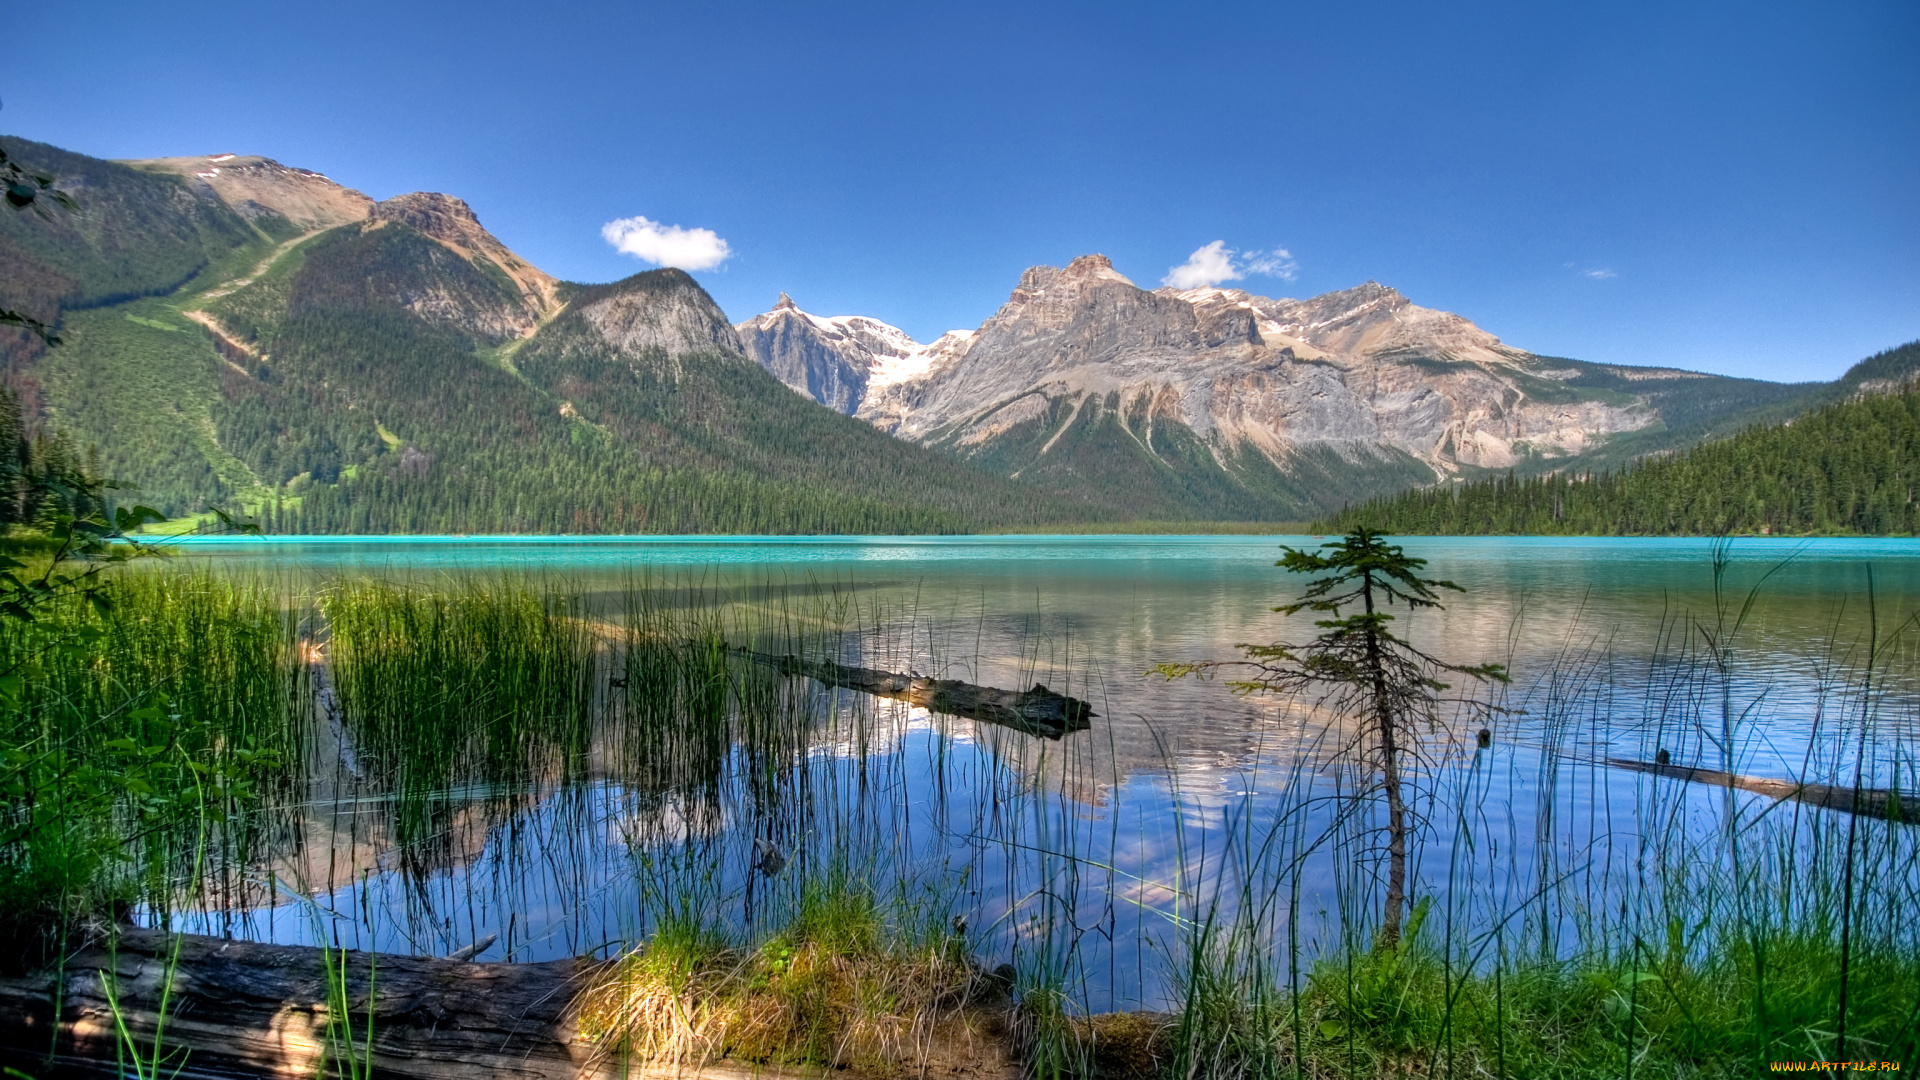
[247, 1010]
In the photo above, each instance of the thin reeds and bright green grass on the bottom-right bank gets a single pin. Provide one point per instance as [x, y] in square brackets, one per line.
[1685, 933]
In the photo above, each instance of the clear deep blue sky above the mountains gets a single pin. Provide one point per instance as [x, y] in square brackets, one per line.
[1725, 187]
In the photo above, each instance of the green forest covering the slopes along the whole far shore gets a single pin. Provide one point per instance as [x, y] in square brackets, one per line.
[375, 380]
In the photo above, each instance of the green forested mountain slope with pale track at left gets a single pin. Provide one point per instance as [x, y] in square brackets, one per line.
[402, 372]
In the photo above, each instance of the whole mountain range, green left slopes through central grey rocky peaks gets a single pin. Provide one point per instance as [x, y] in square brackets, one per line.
[245, 333]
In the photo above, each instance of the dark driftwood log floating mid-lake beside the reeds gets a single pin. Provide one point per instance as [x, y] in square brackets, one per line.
[1036, 712]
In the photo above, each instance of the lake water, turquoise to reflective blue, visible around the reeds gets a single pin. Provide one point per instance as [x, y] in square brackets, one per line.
[1116, 829]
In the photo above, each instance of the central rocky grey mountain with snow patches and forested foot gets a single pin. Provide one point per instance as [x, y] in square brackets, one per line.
[1218, 403]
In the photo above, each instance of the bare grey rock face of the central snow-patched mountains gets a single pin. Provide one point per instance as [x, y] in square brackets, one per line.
[1356, 372]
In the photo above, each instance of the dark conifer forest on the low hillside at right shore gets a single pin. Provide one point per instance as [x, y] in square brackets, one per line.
[1844, 470]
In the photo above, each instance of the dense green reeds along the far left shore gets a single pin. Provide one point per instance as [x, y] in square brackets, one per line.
[132, 725]
